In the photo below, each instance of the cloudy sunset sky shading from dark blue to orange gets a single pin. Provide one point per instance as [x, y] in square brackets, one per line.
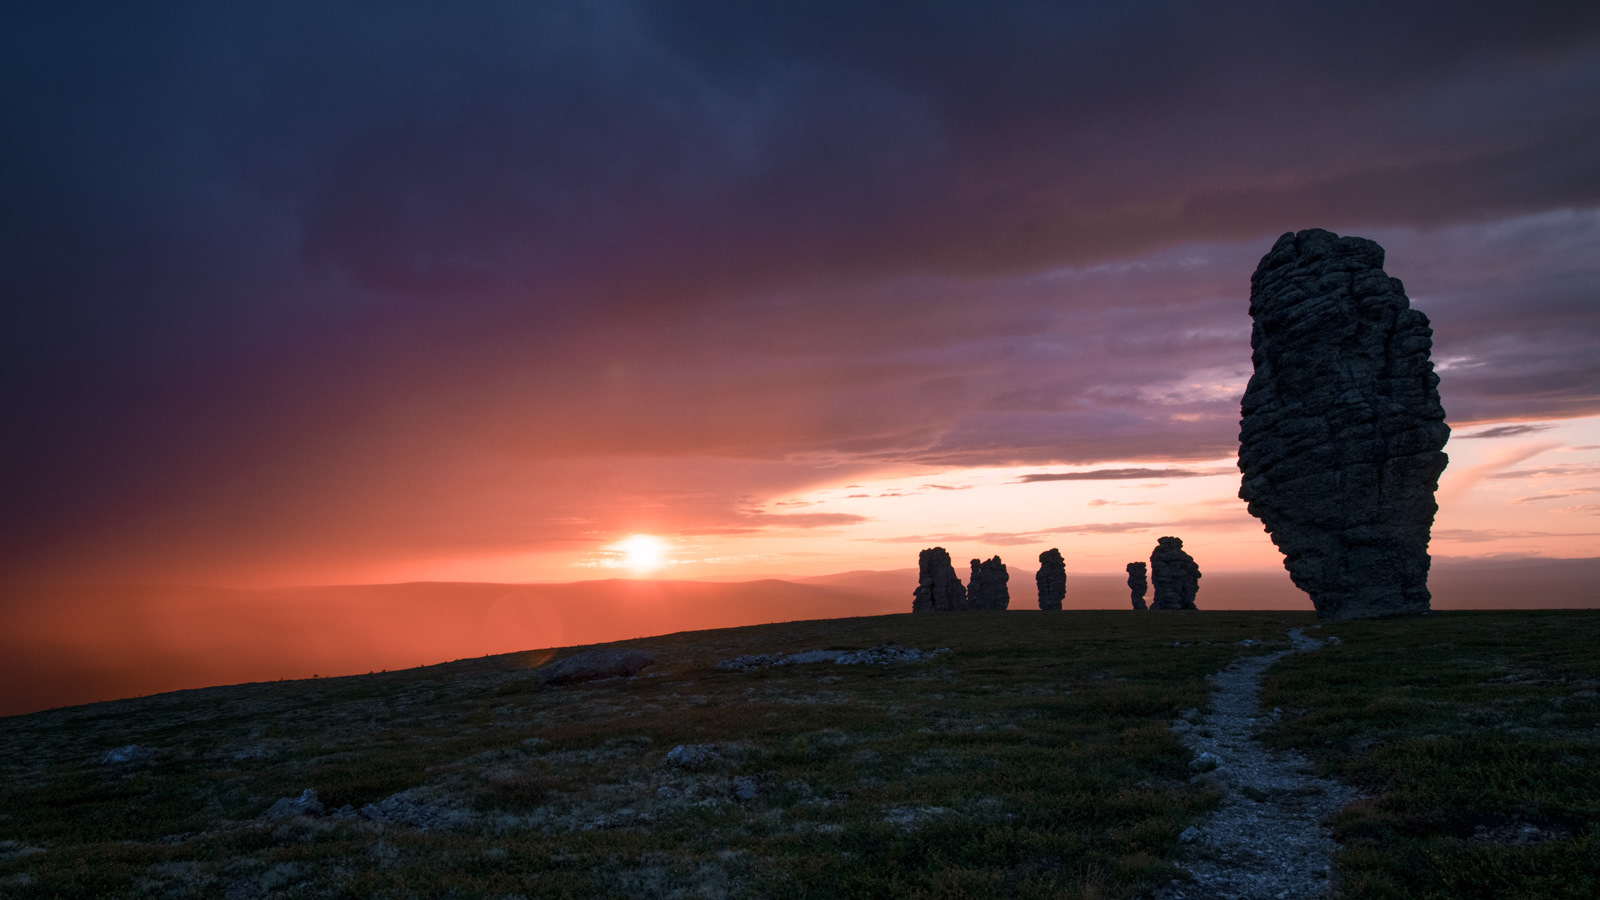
[313, 294]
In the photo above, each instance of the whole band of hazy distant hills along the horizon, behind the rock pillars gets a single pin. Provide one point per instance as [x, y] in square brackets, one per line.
[66, 646]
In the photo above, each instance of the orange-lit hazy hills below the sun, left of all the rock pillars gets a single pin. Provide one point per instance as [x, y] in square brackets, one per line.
[66, 646]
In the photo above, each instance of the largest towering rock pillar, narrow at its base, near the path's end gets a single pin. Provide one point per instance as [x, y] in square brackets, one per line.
[1342, 435]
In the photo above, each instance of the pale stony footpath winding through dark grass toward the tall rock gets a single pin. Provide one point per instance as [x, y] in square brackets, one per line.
[1268, 842]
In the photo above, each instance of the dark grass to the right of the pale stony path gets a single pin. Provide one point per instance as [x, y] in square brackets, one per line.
[1476, 736]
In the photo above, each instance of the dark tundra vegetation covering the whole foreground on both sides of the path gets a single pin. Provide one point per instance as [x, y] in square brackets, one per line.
[1036, 758]
